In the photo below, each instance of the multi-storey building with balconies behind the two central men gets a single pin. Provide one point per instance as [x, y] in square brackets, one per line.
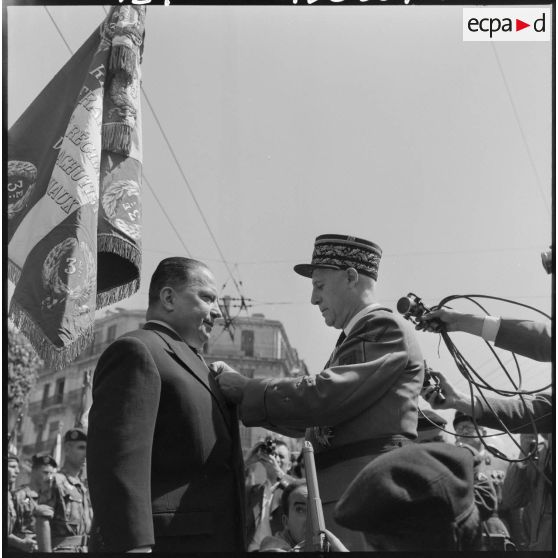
[255, 346]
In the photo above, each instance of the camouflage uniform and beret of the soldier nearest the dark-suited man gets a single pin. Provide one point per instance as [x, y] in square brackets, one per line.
[67, 505]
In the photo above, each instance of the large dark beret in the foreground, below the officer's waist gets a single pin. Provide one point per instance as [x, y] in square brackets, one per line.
[433, 479]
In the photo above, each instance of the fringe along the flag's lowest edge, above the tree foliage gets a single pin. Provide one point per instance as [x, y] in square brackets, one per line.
[54, 357]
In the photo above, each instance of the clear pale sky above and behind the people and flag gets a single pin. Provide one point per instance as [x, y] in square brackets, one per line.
[294, 121]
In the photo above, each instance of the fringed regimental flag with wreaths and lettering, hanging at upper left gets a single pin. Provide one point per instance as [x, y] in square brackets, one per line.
[74, 180]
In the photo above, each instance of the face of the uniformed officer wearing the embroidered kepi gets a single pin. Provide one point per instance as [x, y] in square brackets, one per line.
[329, 293]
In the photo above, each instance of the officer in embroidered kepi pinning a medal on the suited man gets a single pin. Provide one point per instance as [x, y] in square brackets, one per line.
[364, 402]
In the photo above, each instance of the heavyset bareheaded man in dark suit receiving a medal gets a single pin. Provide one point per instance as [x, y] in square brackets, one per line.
[164, 460]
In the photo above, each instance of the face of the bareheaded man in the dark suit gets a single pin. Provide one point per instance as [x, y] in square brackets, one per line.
[195, 308]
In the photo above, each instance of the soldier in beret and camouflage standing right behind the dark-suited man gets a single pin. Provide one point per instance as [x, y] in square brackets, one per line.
[64, 513]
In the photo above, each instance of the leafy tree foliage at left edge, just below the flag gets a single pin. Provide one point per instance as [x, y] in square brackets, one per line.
[23, 365]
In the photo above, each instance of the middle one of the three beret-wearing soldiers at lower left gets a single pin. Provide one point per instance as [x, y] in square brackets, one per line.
[26, 499]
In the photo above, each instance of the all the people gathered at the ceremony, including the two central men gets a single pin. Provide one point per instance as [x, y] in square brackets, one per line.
[165, 470]
